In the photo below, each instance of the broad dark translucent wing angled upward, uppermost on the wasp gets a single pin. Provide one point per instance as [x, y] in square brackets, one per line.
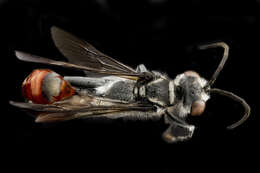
[82, 53]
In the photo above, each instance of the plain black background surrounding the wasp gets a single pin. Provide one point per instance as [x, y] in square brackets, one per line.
[161, 34]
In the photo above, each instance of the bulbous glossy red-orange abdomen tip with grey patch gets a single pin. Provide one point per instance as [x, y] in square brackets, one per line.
[44, 86]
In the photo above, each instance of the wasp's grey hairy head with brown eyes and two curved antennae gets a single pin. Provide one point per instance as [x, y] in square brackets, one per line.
[193, 91]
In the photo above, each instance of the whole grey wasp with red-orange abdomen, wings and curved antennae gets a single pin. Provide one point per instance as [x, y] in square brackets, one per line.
[114, 90]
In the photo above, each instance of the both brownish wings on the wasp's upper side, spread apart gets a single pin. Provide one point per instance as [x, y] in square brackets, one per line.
[83, 56]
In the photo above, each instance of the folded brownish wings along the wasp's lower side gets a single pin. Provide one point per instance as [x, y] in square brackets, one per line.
[61, 112]
